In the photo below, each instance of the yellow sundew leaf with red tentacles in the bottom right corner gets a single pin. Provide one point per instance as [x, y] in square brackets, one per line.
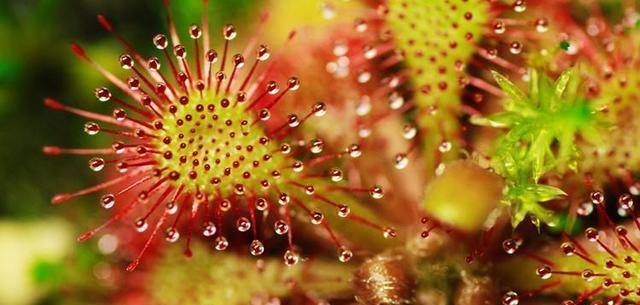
[597, 267]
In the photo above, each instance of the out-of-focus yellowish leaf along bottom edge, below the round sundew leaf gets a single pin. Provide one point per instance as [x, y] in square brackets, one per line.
[231, 279]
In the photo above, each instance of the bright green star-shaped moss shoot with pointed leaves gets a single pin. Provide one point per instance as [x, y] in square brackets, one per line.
[542, 127]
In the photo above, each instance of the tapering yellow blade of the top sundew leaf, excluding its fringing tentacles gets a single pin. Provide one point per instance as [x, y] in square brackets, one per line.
[437, 39]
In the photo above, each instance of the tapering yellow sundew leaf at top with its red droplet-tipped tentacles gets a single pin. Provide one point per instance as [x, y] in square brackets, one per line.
[408, 40]
